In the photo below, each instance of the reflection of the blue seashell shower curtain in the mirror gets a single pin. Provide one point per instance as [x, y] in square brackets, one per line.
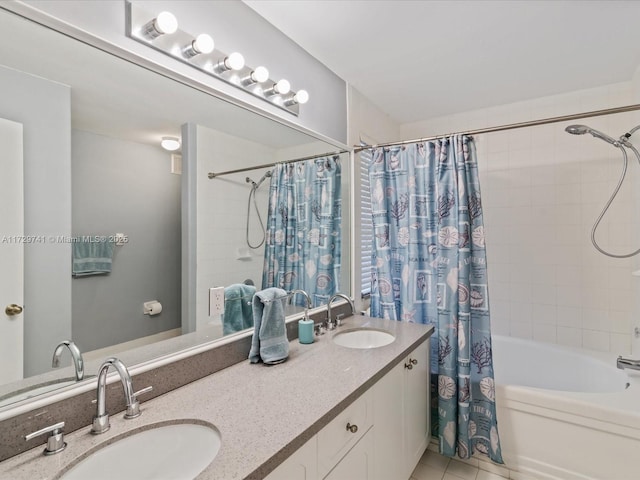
[303, 248]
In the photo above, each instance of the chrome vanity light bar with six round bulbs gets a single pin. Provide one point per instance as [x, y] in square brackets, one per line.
[162, 33]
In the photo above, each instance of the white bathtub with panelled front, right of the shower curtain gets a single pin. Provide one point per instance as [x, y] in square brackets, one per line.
[565, 414]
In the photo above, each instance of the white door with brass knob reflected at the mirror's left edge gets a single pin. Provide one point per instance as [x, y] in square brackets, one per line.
[11, 251]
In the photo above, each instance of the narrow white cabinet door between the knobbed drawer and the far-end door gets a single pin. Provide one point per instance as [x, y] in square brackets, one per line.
[388, 418]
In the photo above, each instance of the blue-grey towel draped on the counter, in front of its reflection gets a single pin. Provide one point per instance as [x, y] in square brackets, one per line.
[269, 343]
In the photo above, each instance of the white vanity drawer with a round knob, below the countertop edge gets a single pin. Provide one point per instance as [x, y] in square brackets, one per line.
[335, 440]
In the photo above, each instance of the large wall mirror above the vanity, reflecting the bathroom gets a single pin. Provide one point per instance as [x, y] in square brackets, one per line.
[100, 190]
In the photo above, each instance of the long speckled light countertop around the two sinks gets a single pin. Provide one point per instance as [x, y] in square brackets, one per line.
[263, 413]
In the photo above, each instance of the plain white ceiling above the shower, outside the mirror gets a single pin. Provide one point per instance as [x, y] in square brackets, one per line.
[422, 59]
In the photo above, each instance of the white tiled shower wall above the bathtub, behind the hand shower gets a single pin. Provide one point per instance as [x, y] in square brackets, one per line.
[542, 191]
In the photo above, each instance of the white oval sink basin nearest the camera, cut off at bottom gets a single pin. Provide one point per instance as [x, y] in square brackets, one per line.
[166, 451]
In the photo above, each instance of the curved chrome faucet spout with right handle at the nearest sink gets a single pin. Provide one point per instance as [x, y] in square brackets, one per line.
[101, 420]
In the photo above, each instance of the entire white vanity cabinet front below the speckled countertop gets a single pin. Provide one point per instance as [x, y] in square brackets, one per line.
[380, 436]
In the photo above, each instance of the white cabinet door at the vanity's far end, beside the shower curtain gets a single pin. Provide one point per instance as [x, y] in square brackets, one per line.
[416, 402]
